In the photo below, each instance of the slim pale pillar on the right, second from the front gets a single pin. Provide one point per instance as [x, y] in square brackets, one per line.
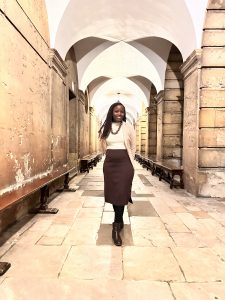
[159, 149]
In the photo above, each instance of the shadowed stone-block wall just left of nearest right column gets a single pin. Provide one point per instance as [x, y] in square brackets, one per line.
[173, 107]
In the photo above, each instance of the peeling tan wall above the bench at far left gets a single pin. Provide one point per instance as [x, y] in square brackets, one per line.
[25, 110]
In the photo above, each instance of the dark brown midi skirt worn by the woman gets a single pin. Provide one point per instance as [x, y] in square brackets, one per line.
[118, 176]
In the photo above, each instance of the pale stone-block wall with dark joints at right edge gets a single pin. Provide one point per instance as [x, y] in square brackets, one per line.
[212, 103]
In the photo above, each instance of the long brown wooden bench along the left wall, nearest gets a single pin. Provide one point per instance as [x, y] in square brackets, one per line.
[42, 184]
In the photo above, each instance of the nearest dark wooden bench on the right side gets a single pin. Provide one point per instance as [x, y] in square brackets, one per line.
[167, 170]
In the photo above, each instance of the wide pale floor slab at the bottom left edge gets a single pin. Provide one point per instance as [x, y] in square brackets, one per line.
[72, 289]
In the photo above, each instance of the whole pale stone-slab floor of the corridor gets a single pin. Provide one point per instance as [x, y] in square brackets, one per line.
[173, 246]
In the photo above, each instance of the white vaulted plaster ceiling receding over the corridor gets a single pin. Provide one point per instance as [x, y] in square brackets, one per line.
[119, 39]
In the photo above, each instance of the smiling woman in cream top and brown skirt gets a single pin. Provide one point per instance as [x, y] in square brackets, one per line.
[118, 143]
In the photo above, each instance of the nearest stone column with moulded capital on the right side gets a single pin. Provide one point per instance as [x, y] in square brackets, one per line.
[191, 70]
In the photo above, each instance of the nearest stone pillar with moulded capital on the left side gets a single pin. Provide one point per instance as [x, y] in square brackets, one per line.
[59, 109]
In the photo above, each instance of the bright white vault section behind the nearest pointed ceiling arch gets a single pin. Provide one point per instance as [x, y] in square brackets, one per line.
[121, 60]
